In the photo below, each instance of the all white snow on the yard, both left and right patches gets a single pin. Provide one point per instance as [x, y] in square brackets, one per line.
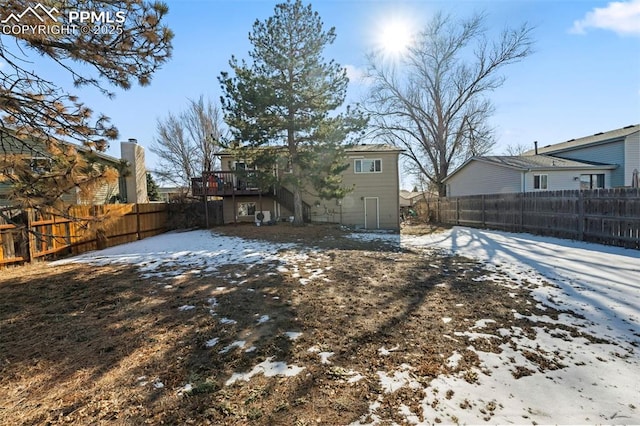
[598, 382]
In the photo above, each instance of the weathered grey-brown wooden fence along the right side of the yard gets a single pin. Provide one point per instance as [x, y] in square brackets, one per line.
[605, 216]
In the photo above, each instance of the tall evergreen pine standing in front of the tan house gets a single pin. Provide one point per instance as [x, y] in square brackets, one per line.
[285, 97]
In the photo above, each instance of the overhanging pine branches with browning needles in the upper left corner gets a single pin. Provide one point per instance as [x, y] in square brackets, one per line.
[38, 118]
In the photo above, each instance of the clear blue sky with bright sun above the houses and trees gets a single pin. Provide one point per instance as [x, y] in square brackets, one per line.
[583, 78]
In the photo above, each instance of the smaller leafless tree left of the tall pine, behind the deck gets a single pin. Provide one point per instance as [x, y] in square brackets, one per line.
[189, 143]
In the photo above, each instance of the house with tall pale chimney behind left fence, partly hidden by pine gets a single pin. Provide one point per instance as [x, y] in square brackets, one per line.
[129, 188]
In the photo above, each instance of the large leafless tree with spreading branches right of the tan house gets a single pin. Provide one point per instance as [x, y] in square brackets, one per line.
[433, 103]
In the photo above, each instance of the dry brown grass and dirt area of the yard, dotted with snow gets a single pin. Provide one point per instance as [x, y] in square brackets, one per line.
[101, 344]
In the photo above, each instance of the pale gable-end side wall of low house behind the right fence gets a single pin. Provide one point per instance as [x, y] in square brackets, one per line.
[483, 178]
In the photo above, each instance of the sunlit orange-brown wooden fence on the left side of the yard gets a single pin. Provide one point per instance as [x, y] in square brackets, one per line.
[34, 235]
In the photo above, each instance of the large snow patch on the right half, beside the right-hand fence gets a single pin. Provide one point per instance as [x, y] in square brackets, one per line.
[598, 382]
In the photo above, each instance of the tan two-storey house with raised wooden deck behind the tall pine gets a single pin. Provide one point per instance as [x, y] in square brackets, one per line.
[373, 203]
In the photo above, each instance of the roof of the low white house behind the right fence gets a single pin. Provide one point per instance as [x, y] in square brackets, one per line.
[535, 162]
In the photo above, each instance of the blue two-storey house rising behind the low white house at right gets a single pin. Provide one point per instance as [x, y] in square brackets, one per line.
[620, 147]
